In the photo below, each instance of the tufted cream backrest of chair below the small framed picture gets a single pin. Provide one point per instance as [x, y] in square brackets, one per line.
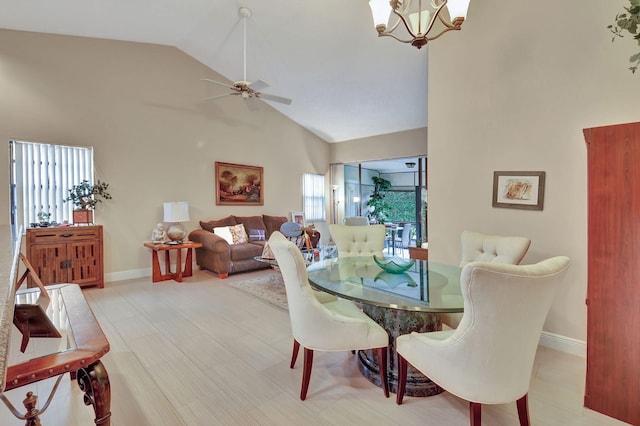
[477, 246]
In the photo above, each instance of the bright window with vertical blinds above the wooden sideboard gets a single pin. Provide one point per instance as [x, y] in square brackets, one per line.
[41, 175]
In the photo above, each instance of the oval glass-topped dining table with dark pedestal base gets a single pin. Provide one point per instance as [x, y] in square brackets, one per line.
[401, 302]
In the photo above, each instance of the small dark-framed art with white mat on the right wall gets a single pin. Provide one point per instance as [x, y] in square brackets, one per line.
[518, 190]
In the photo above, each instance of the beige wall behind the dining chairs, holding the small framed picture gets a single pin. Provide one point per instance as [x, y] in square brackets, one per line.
[514, 90]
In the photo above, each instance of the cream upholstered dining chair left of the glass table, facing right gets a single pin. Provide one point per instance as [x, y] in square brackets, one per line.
[337, 325]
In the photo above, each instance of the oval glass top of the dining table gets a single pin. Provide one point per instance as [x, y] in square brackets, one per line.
[427, 286]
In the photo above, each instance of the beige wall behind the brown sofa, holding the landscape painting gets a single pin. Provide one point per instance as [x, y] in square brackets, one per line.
[140, 106]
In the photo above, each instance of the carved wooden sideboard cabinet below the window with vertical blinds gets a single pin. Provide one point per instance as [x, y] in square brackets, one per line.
[67, 255]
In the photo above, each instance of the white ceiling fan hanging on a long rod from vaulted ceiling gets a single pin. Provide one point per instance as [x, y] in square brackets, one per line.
[248, 91]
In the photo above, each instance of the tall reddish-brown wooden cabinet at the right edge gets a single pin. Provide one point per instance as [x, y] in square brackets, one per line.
[613, 297]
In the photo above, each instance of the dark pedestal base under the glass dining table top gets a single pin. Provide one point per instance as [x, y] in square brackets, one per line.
[397, 322]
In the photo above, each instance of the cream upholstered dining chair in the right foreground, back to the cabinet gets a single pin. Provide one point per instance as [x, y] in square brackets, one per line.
[488, 359]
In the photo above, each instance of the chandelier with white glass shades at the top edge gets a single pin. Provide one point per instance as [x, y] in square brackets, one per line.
[422, 24]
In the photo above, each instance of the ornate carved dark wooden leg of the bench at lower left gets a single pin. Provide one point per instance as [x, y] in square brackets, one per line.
[94, 382]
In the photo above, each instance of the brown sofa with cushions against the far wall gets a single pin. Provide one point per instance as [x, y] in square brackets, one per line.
[217, 255]
